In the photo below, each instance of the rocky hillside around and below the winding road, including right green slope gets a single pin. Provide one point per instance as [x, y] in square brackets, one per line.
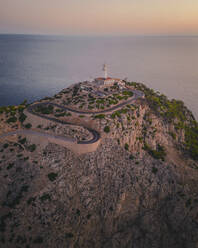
[138, 189]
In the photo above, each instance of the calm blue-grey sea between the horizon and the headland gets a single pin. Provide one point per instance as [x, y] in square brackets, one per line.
[32, 67]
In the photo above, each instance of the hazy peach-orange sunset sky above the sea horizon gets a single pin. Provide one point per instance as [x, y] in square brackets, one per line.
[99, 17]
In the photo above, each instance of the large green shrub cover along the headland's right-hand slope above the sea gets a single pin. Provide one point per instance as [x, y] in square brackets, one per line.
[175, 112]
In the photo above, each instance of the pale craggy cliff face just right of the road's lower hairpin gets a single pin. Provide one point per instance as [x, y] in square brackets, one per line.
[139, 128]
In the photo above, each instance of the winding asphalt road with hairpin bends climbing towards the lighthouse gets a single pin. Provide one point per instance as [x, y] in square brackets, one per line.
[95, 134]
